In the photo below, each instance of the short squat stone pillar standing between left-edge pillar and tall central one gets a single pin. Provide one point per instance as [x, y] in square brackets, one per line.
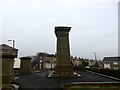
[25, 66]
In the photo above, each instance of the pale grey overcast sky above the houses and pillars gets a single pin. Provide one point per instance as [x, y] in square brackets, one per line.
[31, 24]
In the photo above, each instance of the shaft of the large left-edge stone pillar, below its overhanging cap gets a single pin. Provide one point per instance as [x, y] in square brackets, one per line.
[7, 69]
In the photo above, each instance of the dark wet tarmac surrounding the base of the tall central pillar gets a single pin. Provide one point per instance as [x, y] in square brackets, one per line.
[38, 81]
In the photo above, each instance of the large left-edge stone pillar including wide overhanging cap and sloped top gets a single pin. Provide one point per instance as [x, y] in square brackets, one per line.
[7, 55]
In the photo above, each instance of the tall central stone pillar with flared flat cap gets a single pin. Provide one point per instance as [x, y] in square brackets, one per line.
[63, 65]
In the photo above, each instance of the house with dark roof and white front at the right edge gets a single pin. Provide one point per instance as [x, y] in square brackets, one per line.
[111, 62]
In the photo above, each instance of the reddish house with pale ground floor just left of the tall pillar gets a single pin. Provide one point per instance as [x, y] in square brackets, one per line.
[43, 61]
